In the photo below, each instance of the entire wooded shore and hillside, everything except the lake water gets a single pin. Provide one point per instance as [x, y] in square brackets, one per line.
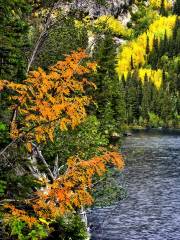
[73, 75]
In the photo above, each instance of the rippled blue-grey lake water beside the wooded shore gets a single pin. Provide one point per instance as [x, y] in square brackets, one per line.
[151, 210]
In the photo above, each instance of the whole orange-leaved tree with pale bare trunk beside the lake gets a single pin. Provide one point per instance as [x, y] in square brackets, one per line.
[46, 102]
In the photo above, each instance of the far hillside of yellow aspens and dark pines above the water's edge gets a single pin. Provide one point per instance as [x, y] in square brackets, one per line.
[149, 67]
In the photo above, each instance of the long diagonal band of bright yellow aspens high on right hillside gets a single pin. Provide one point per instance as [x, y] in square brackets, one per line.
[136, 49]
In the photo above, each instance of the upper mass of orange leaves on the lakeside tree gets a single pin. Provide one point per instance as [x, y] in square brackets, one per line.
[56, 98]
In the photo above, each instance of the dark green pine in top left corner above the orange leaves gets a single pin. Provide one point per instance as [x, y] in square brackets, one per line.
[13, 39]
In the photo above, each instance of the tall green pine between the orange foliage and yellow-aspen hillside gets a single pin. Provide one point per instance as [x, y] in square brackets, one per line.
[109, 93]
